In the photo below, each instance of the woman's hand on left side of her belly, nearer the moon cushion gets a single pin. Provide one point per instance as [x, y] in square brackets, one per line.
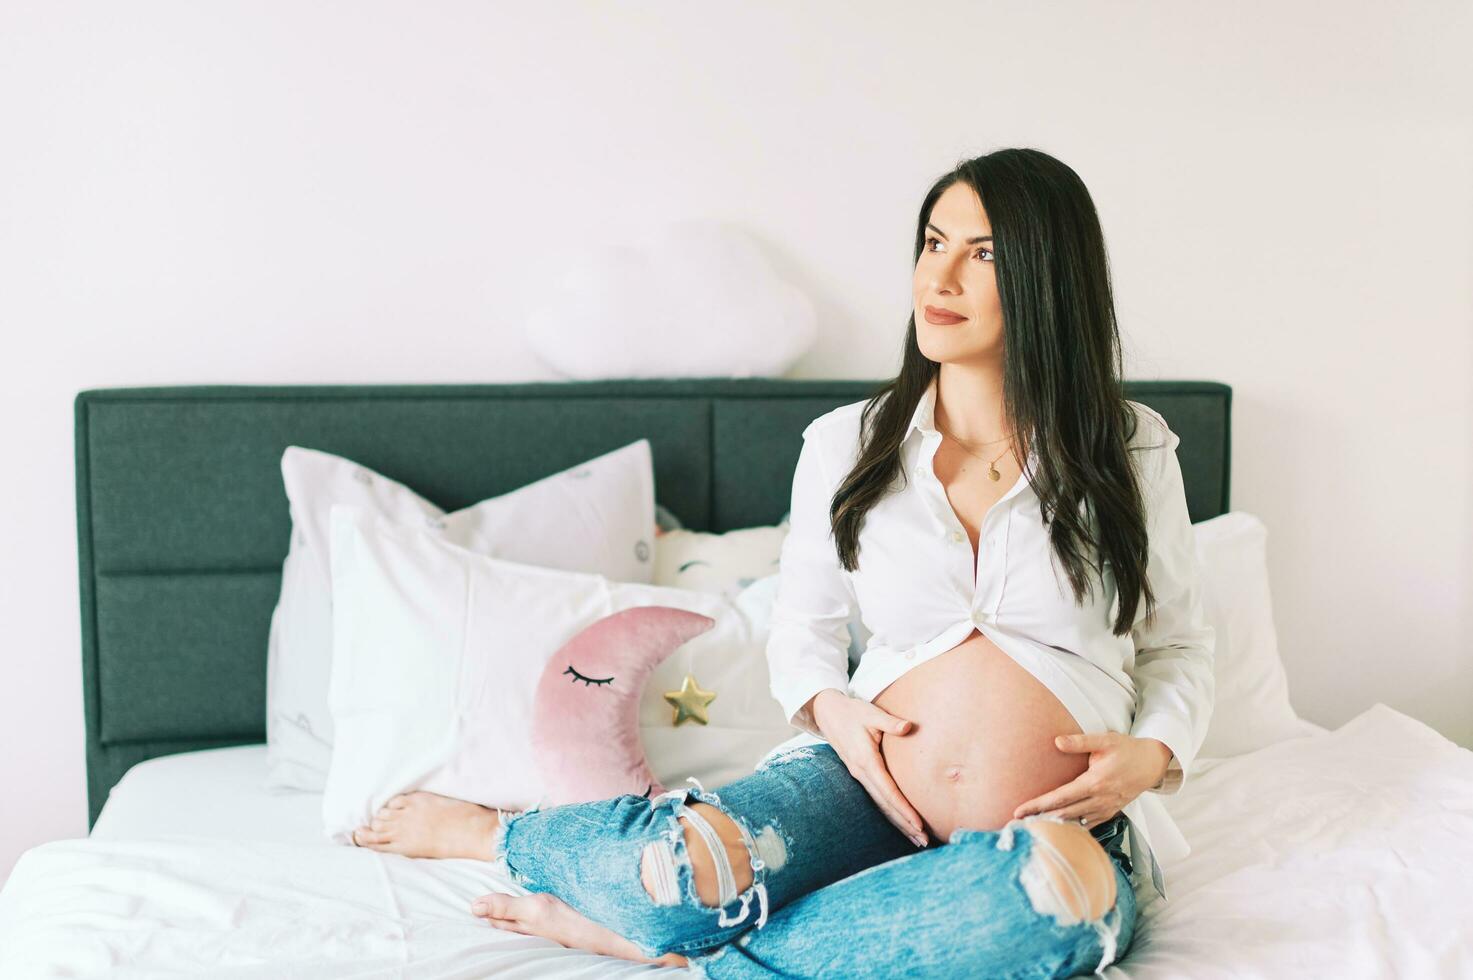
[854, 729]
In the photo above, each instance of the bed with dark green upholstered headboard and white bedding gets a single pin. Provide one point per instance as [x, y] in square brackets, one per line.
[1329, 854]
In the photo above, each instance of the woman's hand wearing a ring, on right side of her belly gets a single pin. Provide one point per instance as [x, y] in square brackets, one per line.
[1122, 769]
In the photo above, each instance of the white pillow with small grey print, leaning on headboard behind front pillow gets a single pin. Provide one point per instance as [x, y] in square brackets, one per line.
[597, 517]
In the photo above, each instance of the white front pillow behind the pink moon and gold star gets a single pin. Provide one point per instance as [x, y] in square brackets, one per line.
[440, 649]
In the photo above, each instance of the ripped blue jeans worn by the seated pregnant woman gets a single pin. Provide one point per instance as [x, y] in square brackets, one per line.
[837, 891]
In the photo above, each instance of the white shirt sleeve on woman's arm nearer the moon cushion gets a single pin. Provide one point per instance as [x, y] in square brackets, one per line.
[808, 645]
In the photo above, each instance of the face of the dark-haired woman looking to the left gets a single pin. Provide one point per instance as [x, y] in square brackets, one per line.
[955, 273]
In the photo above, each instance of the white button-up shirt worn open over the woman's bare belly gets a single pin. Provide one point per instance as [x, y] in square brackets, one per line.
[918, 595]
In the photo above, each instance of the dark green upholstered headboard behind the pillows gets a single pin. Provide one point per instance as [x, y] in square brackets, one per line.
[183, 521]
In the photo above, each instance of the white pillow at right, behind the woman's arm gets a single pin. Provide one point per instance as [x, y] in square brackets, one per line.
[1251, 708]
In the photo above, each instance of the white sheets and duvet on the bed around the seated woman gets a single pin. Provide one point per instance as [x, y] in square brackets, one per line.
[1341, 854]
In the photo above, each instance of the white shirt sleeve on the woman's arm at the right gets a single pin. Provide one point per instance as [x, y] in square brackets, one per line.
[1173, 670]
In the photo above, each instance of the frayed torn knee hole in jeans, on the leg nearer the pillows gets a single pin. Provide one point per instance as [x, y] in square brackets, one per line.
[661, 861]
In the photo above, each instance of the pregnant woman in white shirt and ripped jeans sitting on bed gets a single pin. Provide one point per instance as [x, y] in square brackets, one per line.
[1016, 536]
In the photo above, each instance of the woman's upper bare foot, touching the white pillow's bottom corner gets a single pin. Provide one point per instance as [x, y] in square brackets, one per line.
[431, 826]
